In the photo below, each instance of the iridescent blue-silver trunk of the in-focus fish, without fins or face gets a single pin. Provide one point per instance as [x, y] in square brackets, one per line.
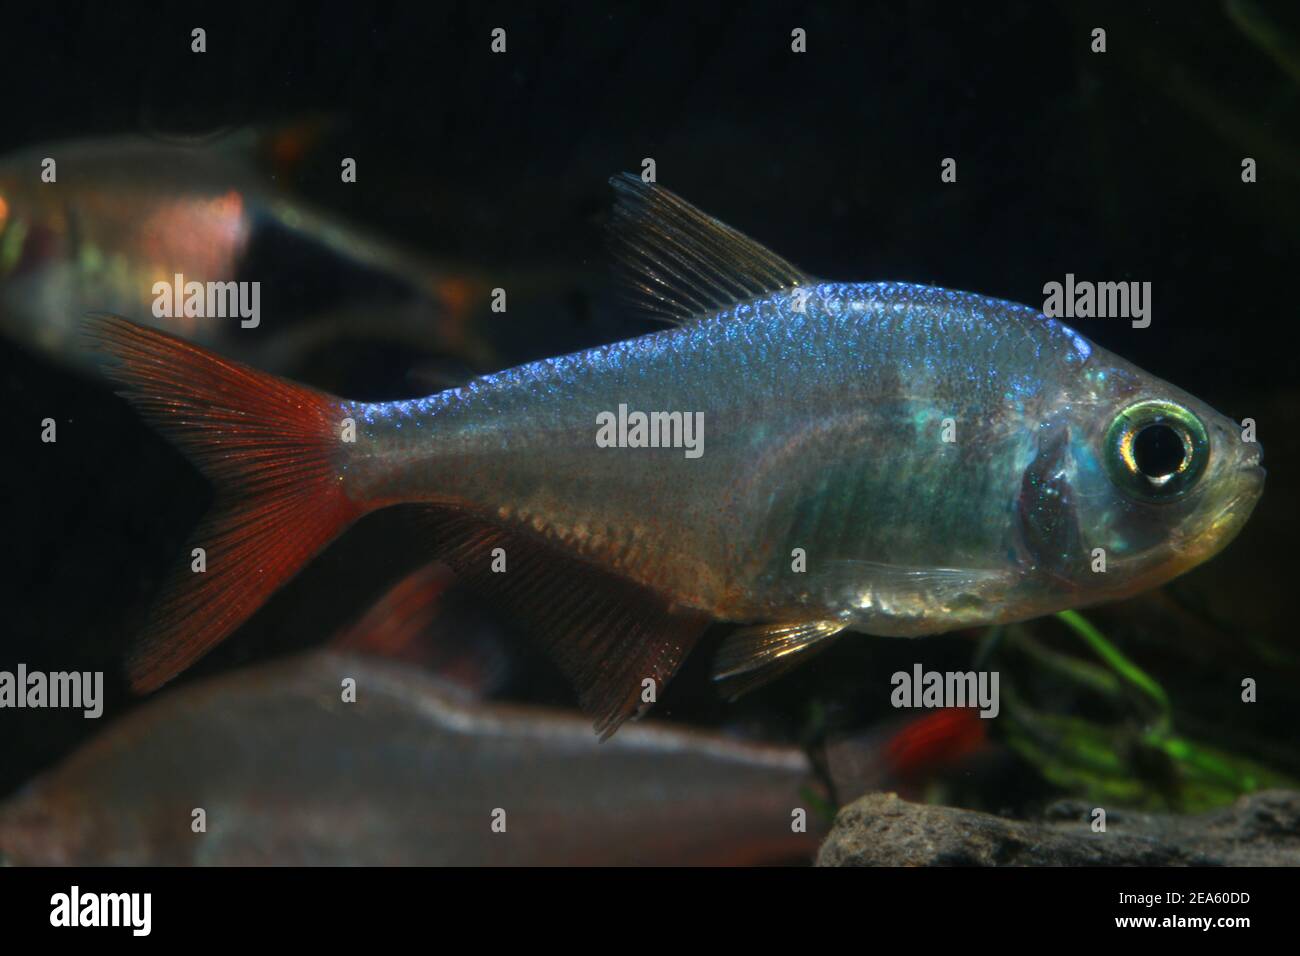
[822, 431]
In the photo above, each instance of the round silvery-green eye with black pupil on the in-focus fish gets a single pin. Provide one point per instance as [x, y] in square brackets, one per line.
[1156, 451]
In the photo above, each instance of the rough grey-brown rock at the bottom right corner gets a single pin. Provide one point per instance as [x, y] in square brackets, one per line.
[885, 830]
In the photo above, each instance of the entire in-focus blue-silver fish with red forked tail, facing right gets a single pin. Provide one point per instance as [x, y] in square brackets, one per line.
[886, 458]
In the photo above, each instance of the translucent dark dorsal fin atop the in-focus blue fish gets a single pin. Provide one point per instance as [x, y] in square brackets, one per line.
[682, 265]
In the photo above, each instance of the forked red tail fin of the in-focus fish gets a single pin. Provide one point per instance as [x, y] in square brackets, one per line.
[274, 452]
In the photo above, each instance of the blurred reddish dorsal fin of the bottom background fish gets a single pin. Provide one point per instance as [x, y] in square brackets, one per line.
[418, 622]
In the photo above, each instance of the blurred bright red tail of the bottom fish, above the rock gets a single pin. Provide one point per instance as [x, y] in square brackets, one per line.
[904, 758]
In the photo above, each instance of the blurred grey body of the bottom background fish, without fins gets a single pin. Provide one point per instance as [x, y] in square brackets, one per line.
[413, 773]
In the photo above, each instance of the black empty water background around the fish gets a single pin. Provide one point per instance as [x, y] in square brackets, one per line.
[1124, 166]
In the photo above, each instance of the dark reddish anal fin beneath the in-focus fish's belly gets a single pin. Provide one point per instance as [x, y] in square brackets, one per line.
[606, 634]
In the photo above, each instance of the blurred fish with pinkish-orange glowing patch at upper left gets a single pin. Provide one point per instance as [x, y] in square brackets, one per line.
[128, 213]
